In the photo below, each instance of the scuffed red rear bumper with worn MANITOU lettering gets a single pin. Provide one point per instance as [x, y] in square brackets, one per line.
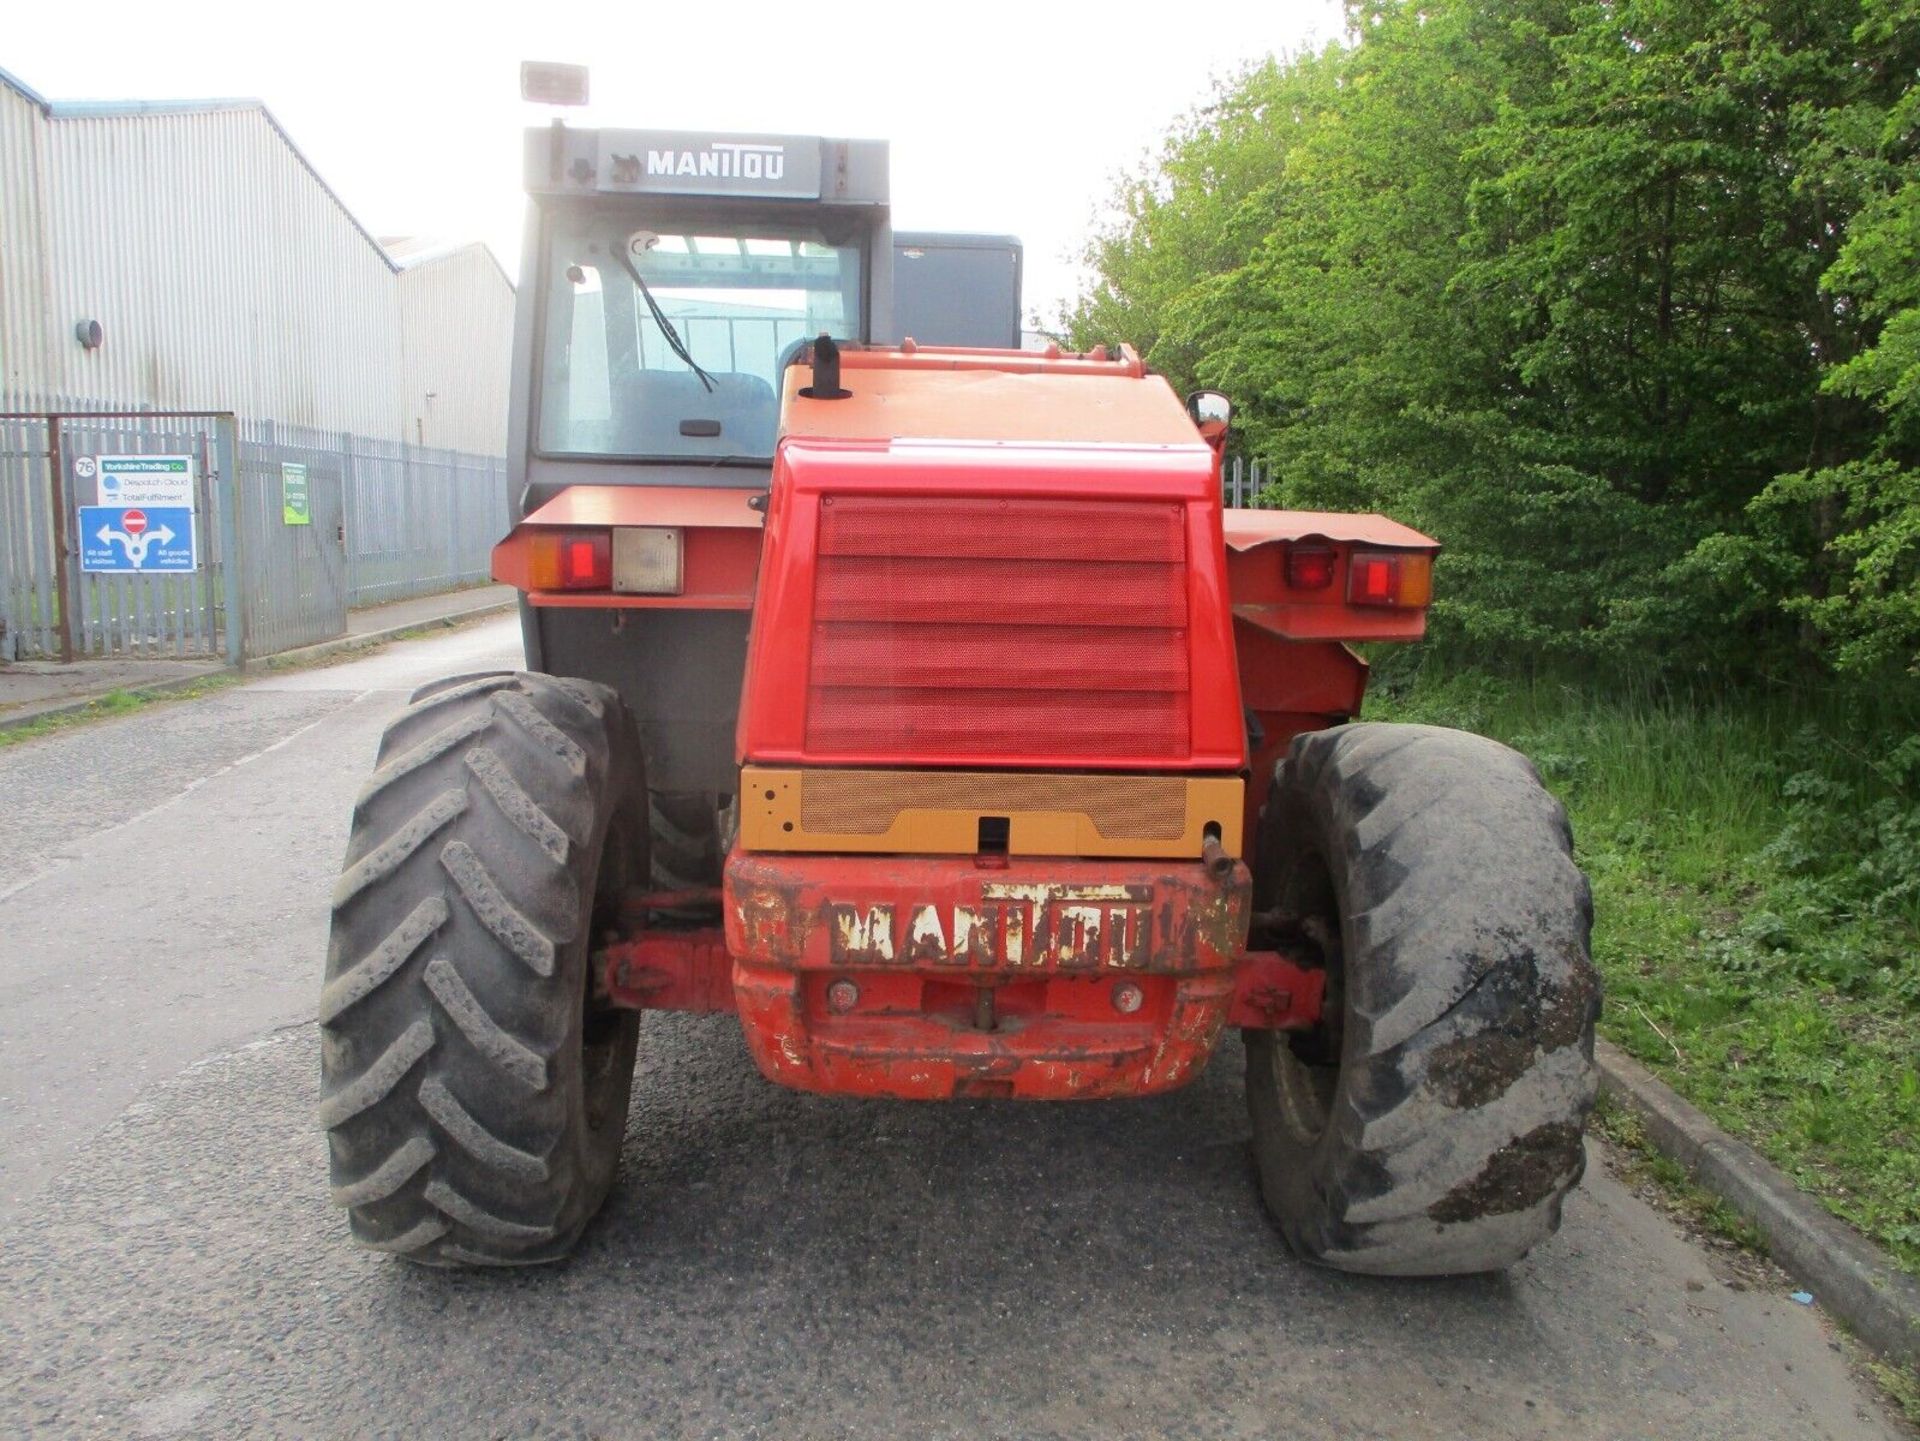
[938, 978]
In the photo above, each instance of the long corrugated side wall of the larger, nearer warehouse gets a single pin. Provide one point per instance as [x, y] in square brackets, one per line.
[222, 272]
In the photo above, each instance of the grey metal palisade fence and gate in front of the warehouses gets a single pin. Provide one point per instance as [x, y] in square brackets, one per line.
[293, 527]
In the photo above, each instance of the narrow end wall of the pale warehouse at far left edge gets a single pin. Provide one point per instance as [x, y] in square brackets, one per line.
[24, 279]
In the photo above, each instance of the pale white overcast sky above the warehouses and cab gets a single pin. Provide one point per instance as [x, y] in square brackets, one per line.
[1007, 118]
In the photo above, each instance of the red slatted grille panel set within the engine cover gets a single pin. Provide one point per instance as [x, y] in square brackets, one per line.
[980, 628]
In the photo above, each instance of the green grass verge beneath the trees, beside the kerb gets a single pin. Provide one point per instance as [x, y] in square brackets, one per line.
[1756, 872]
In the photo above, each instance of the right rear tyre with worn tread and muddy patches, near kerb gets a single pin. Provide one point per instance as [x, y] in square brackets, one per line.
[1435, 1123]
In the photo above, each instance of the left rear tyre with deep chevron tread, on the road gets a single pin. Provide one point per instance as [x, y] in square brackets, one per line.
[475, 1091]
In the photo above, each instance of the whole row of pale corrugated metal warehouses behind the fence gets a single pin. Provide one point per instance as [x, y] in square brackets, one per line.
[228, 275]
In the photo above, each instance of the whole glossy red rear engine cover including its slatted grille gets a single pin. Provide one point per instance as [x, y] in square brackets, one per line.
[994, 605]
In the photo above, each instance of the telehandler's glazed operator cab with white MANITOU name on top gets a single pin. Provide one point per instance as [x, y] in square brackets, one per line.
[667, 283]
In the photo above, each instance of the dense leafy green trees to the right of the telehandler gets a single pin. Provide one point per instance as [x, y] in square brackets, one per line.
[1614, 298]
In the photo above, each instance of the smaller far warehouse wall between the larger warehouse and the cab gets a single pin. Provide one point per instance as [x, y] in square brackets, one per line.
[456, 325]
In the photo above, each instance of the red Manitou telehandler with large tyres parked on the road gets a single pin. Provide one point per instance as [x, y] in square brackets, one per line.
[924, 709]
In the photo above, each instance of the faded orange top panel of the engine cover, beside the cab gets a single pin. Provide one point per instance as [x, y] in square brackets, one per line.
[924, 392]
